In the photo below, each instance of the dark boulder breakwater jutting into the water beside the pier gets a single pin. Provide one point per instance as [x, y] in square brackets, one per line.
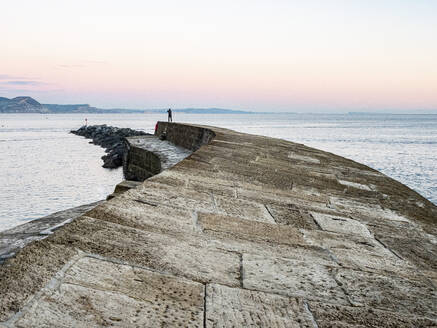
[110, 138]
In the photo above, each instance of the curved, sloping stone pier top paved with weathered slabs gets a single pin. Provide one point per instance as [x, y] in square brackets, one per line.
[247, 231]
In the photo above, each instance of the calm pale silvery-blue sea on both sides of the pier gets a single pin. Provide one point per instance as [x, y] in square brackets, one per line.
[44, 169]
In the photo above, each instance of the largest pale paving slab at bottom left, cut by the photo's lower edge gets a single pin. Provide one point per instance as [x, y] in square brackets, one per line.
[95, 292]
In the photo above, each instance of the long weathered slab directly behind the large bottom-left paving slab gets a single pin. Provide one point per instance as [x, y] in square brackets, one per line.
[184, 257]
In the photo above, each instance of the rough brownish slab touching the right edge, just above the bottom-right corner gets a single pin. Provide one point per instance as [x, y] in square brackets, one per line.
[389, 292]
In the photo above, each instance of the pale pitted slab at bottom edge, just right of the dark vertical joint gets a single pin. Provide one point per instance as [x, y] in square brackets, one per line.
[235, 307]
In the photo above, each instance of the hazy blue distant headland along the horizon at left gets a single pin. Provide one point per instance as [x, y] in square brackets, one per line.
[26, 104]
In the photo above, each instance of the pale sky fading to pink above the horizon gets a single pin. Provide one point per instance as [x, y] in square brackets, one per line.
[270, 55]
